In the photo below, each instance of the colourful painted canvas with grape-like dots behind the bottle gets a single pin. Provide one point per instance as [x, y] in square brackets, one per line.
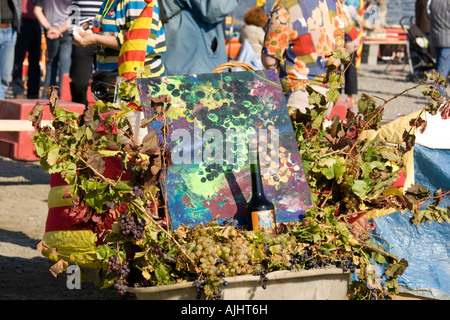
[216, 120]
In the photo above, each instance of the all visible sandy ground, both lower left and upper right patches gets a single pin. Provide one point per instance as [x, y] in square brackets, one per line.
[24, 186]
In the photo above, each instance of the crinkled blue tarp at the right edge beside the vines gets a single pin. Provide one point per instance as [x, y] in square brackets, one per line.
[425, 247]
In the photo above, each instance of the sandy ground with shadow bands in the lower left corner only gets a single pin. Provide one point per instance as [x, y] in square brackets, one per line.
[24, 272]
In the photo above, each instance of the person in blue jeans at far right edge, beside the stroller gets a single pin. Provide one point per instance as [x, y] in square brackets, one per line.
[440, 36]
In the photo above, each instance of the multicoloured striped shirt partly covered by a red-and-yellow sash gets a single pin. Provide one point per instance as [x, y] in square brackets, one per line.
[117, 21]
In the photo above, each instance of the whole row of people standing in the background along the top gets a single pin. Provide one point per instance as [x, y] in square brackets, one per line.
[64, 43]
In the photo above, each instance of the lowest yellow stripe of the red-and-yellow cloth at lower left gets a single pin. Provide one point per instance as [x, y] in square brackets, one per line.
[74, 246]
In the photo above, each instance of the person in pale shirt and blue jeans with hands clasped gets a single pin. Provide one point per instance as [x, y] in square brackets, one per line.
[53, 16]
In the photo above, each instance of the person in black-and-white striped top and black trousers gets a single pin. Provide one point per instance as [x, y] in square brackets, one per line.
[83, 58]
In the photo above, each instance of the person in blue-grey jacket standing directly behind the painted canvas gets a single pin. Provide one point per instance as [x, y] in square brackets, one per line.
[194, 34]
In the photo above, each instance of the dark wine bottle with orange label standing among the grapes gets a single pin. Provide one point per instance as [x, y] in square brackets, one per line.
[260, 211]
